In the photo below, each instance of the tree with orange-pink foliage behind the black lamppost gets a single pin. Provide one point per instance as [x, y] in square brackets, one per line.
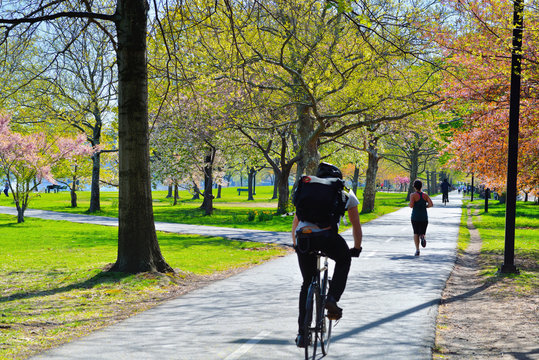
[477, 89]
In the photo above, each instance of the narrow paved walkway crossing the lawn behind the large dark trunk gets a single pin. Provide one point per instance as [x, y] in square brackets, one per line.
[274, 237]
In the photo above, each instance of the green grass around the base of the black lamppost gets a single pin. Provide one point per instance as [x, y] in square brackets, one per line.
[491, 227]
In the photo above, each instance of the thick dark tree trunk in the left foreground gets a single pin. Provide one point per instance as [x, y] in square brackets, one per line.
[138, 249]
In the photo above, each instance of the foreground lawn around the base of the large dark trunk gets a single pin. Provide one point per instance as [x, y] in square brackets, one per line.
[53, 287]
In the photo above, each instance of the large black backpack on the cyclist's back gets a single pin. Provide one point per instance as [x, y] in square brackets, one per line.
[319, 200]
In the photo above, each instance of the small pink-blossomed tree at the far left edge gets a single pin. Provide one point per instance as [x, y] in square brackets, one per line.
[26, 160]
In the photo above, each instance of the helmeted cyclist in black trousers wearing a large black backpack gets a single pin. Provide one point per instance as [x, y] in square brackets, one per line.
[320, 203]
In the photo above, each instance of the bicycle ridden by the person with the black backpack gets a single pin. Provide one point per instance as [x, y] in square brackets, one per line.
[320, 331]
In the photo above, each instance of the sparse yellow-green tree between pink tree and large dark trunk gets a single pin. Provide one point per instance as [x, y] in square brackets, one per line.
[72, 82]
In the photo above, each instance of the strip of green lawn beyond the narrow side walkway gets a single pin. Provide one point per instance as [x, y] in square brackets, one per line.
[230, 211]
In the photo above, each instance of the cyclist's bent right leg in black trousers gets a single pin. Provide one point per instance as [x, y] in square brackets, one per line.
[338, 250]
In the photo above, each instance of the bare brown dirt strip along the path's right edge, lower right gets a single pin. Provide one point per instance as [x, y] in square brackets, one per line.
[486, 319]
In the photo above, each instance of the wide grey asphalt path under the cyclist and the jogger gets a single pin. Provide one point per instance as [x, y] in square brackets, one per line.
[390, 304]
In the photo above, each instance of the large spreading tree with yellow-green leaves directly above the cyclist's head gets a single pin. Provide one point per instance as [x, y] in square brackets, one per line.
[309, 58]
